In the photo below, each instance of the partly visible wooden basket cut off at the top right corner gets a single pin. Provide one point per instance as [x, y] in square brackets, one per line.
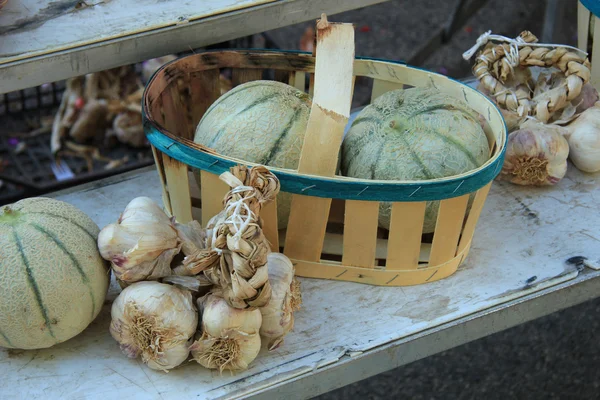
[587, 19]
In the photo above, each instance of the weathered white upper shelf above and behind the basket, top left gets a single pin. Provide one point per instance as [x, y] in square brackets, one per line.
[45, 41]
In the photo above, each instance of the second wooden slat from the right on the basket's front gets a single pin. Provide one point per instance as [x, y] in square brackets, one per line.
[447, 229]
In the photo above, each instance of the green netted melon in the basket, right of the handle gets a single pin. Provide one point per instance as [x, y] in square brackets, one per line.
[414, 134]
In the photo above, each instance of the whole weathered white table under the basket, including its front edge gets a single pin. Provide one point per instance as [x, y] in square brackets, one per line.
[516, 271]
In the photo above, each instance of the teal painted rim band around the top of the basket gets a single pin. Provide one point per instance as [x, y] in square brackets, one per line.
[340, 187]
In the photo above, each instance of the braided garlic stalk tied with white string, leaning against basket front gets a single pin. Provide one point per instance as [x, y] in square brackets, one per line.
[235, 256]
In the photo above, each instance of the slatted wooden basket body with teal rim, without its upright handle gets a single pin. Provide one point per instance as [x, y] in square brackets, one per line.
[339, 236]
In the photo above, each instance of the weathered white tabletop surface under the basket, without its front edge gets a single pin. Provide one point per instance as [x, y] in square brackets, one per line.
[522, 233]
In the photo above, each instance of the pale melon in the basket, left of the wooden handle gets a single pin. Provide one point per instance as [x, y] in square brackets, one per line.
[262, 122]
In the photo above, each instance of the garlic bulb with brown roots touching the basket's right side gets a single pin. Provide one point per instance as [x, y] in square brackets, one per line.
[536, 154]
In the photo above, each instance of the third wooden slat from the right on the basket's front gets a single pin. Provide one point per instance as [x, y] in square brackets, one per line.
[406, 227]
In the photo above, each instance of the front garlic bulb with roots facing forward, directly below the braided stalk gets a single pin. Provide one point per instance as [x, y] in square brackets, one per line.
[230, 338]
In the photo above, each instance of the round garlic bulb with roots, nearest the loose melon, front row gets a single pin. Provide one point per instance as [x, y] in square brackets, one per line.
[155, 321]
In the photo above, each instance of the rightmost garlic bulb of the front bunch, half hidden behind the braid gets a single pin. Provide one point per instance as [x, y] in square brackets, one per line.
[278, 316]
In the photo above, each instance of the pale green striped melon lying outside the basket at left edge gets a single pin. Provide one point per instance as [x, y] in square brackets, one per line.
[52, 278]
